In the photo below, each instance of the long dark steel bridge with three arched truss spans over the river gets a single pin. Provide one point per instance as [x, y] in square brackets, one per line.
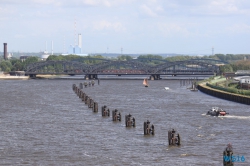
[131, 67]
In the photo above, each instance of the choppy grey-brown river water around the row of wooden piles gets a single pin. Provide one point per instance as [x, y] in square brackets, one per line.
[43, 122]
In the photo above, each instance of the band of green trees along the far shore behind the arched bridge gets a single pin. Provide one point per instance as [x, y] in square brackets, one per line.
[16, 64]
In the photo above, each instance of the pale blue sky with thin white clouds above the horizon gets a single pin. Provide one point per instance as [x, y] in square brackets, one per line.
[127, 26]
